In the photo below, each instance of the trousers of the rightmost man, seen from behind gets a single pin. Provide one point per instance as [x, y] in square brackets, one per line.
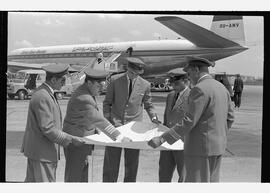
[202, 169]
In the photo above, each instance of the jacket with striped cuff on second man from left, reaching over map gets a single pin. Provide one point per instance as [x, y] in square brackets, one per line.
[83, 117]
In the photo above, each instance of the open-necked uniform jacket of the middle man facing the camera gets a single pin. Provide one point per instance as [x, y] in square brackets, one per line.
[121, 109]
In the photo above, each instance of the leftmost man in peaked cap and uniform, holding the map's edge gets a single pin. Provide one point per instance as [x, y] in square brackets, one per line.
[43, 132]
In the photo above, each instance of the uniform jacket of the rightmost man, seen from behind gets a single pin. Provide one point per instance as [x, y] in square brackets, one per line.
[209, 116]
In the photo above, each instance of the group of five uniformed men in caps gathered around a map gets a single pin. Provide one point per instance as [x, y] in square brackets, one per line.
[200, 116]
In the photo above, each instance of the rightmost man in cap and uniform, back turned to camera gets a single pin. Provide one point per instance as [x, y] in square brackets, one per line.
[205, 126]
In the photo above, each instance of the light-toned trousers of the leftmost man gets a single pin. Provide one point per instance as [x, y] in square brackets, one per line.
[38, 171]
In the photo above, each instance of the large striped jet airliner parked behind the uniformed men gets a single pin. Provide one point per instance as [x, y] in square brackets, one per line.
[225, 39]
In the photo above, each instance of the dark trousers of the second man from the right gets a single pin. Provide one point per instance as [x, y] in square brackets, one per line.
[168, 161]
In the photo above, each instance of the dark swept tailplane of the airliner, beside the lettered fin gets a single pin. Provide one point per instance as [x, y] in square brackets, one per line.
[200, 36]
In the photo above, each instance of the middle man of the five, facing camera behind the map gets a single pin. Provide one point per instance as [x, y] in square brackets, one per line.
[127, 94]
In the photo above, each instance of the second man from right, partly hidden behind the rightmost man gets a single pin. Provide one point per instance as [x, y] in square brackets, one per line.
[176, 106]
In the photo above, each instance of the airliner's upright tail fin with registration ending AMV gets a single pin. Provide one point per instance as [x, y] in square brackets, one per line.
[229, 27]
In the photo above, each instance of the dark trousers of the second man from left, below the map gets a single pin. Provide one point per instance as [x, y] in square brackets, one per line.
[76, 169]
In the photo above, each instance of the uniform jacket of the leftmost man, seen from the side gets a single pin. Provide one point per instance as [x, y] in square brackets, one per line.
[43, 130]
